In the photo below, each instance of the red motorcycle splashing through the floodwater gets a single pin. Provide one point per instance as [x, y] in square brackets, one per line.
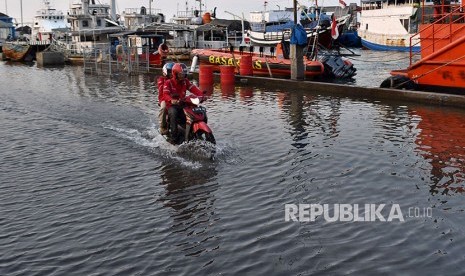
[195, 126]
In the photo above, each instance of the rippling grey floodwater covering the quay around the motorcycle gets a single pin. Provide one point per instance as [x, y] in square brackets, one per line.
[89, 187]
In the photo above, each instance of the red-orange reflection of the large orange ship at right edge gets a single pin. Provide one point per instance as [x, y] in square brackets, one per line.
[442, 143]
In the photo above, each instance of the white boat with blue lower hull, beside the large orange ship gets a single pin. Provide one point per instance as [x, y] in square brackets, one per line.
[388, 25]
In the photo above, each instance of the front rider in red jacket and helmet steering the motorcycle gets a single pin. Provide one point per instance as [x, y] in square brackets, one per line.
[174, 92]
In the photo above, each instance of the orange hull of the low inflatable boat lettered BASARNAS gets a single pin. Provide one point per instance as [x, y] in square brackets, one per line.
[279, 67]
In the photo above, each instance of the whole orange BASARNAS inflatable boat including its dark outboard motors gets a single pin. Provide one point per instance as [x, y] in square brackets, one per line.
[278, 65]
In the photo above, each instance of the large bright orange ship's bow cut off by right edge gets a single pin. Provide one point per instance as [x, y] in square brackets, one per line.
[440, 65]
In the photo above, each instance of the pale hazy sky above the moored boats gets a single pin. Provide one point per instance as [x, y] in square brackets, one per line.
[168, 7]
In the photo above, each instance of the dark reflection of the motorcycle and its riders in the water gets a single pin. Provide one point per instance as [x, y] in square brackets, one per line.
[189, 193]
